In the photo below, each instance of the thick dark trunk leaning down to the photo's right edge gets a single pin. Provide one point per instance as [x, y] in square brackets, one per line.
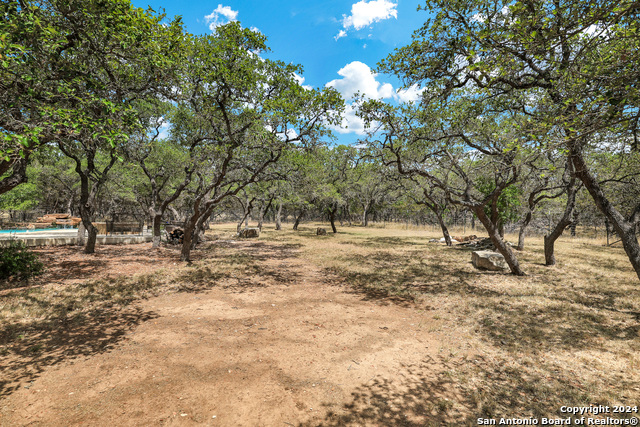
[624, 228]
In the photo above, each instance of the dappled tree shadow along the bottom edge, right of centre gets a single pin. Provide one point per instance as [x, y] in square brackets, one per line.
[454, 391]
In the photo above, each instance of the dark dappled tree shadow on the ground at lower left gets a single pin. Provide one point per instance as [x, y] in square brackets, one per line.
[27, 349]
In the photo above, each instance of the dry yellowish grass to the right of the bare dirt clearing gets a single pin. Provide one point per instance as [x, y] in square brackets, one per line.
[565, 335]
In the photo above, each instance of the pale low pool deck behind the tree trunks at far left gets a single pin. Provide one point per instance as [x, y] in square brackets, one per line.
[70, 237]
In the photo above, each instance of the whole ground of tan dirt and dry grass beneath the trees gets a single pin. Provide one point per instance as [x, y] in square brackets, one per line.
[371, 326]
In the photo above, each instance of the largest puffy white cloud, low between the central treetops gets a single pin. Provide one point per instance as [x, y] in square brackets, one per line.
[358, 77]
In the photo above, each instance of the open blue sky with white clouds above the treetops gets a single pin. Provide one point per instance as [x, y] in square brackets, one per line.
[338, 42]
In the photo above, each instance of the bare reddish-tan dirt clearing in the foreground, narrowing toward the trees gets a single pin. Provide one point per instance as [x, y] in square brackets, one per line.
[290, 346]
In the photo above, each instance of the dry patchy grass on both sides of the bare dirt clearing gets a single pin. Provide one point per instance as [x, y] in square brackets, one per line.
[524, 346]
